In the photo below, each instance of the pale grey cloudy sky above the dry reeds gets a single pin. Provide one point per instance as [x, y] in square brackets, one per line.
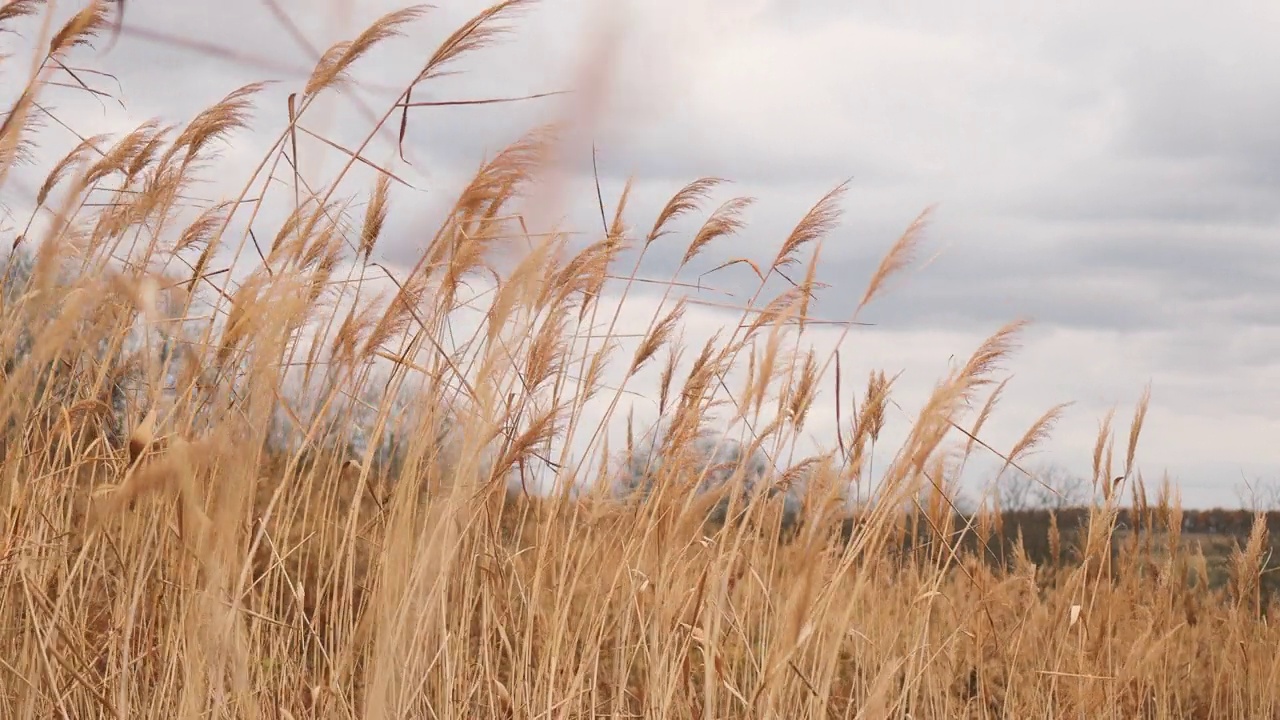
[1112, 172]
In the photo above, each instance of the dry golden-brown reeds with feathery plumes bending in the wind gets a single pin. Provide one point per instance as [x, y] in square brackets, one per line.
[186, 568]
